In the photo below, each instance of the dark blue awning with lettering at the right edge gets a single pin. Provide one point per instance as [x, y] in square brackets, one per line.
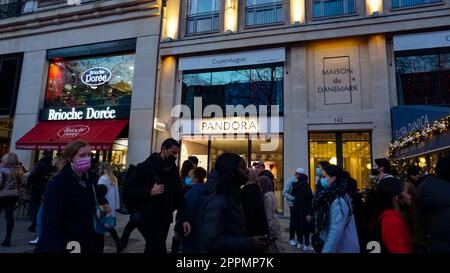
[407, 119]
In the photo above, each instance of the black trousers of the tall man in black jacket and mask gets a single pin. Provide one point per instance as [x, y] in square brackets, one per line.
[155, 236]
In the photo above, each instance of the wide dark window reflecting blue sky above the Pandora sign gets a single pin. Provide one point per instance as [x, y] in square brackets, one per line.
[242, 86]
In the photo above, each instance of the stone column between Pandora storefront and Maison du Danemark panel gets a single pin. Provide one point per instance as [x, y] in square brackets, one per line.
[295, 114]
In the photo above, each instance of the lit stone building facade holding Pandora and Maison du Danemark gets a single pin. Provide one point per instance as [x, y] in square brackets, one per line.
[328, 66]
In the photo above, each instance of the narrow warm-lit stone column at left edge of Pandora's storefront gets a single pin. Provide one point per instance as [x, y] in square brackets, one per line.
[166, 100]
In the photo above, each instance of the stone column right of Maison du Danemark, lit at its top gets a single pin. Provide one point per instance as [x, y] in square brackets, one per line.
[380, 94]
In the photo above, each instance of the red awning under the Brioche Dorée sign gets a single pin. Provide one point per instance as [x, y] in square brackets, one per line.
[54, 135]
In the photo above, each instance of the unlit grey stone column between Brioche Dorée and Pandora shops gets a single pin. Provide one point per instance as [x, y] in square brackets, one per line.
[142, 102]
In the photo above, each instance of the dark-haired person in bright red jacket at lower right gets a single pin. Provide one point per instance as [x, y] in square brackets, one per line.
[388, 227]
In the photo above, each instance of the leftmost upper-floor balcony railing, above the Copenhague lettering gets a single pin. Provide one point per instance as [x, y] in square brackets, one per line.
[202, 22]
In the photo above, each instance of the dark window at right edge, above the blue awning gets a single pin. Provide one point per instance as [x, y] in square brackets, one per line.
[423, 76]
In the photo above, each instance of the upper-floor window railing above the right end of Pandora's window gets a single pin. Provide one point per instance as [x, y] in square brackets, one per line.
[264, 14]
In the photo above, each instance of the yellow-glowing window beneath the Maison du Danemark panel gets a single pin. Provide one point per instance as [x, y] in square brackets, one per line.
[351, 151]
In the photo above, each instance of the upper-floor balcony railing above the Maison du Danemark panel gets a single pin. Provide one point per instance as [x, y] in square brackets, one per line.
[333, 8]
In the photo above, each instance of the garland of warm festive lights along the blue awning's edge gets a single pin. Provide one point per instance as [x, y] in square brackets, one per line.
[437, 127]
